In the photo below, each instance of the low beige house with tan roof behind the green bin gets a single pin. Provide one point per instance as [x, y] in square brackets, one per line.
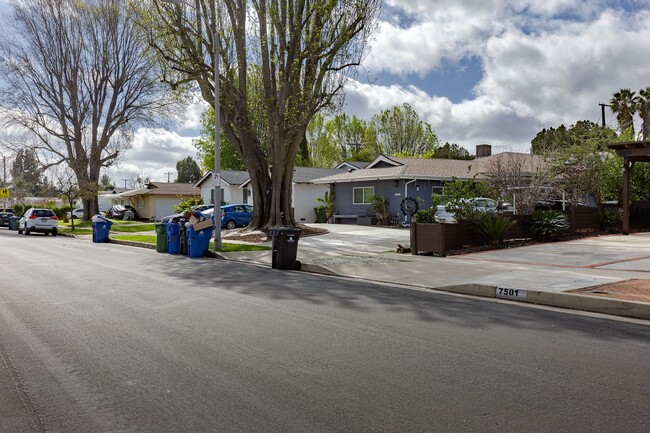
[156, 200]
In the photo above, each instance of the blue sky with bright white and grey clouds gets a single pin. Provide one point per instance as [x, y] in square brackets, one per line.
[479, 71]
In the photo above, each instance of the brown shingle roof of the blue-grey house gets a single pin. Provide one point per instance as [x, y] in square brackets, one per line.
[392, 168]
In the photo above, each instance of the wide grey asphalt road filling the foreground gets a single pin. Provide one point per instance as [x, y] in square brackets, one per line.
[108, 338]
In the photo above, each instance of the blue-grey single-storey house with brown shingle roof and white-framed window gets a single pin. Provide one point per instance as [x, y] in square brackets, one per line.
[396, 178]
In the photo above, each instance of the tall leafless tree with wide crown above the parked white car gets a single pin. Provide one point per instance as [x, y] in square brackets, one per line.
[77, 77]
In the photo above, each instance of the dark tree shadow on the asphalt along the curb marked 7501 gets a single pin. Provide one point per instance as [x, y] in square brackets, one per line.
[204, 276]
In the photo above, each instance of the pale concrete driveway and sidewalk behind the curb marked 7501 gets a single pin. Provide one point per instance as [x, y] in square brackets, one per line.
[540, 274]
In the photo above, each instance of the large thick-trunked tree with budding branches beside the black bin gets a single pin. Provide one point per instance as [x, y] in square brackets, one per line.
[304, 50]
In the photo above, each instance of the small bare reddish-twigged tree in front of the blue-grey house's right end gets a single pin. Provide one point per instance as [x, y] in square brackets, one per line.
[527, 178]
